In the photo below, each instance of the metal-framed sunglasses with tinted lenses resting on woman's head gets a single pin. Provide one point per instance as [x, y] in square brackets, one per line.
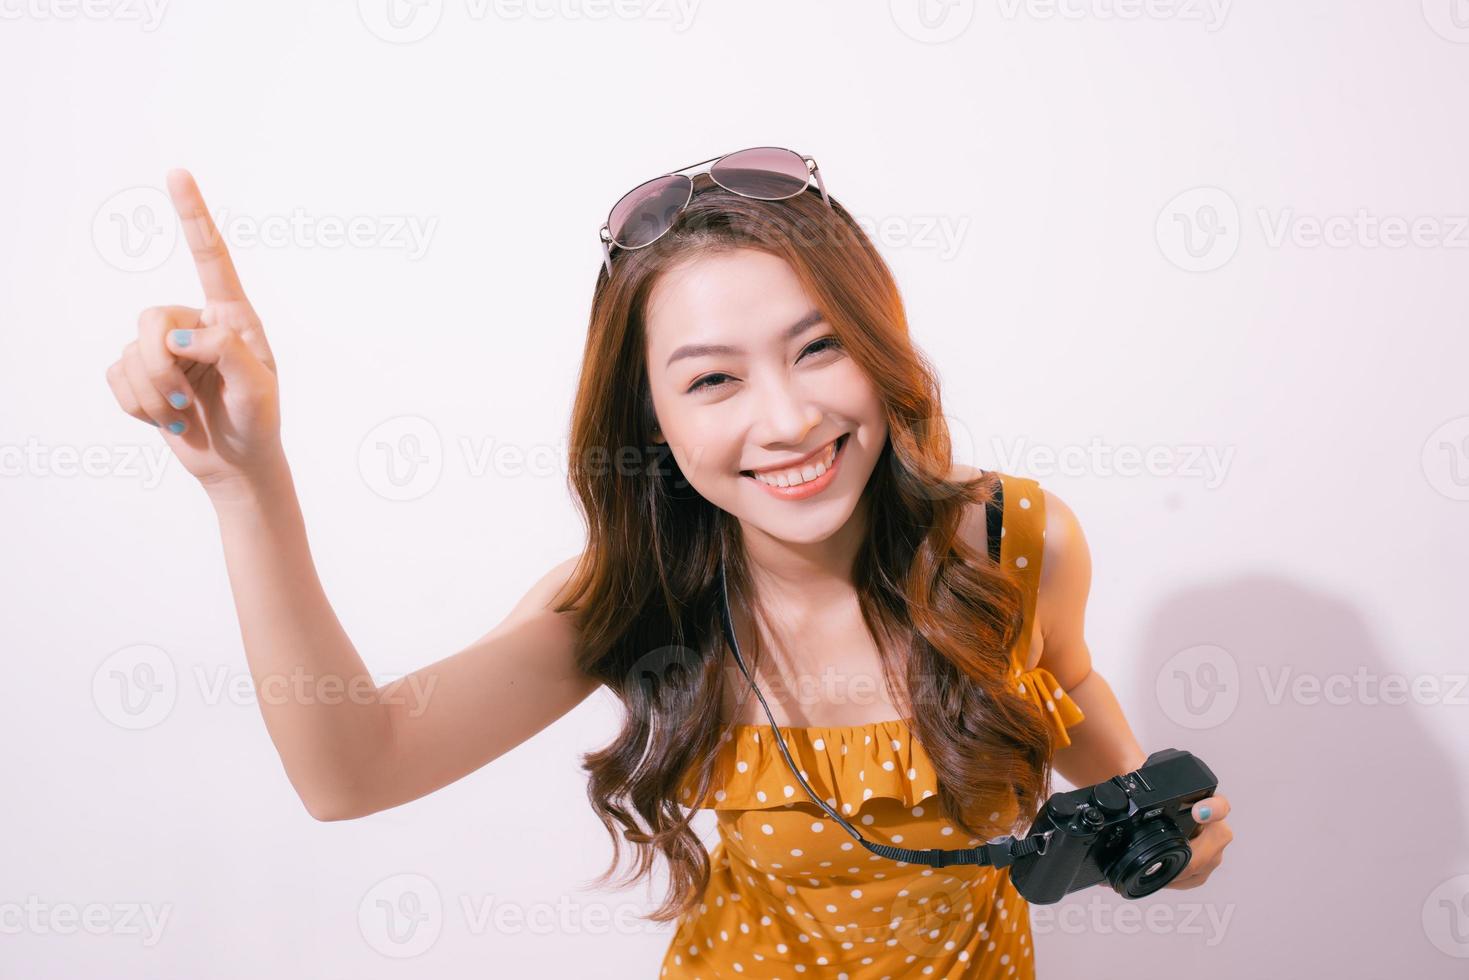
[646, 214]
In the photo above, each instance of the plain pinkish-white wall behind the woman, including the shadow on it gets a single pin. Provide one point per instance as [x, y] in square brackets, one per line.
[1227, 239]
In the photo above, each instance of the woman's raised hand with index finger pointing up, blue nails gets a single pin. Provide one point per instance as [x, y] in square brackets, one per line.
[205, 377]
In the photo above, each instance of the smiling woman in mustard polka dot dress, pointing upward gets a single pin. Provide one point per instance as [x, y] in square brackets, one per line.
[751, 406]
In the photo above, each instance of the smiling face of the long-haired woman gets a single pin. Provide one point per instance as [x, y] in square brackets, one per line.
[753, 393]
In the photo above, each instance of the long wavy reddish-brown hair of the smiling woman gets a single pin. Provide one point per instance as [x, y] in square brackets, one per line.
[647, 588]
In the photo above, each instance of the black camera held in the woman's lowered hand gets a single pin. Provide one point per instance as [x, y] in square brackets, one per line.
[1130, 832]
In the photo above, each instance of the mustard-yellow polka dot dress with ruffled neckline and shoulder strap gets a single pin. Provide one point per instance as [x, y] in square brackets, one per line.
[794, 896]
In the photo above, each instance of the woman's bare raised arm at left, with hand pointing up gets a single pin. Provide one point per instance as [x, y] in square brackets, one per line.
[206, 377]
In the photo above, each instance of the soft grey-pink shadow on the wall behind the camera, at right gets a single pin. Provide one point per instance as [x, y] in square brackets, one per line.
[1351, 854]
